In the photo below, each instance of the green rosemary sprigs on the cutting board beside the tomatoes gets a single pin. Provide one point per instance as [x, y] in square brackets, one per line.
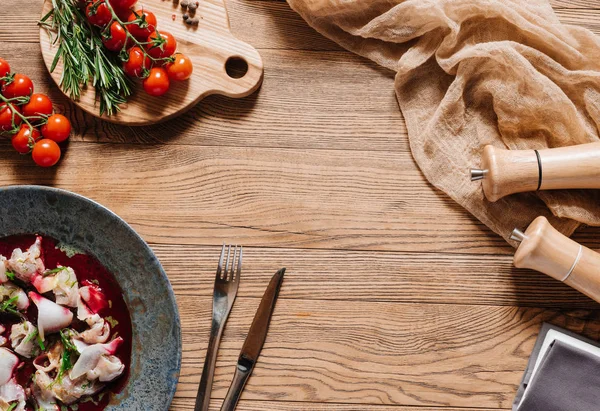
[84, 57]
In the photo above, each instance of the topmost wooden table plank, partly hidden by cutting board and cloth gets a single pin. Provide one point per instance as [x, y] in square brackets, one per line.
[268, 24]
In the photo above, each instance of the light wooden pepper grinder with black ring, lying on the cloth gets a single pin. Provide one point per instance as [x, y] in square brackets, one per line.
[507, 172]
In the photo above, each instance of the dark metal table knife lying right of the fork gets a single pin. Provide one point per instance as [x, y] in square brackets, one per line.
[254, 342]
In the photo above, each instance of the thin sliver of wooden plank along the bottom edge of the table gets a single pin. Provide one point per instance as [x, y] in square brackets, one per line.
[250, 405]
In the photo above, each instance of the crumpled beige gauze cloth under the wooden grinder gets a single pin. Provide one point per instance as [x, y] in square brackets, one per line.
[477, 72]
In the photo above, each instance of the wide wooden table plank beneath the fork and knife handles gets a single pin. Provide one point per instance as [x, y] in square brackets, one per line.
[376, 353]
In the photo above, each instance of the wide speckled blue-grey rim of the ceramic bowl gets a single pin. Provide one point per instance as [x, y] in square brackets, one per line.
[90, 227]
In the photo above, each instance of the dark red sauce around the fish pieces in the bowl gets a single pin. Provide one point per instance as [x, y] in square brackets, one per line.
[88, 271]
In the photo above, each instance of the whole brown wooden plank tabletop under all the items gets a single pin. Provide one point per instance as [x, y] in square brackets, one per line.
[395, 298]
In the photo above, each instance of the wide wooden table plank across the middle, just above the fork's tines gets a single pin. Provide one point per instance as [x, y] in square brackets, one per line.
[264, 197]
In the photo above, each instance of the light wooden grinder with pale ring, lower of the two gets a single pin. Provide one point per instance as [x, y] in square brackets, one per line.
[546, 250]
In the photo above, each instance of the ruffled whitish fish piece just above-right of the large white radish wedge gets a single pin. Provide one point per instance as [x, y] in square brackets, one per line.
[62, 282]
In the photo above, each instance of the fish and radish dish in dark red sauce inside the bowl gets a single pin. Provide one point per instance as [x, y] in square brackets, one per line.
[65, 330]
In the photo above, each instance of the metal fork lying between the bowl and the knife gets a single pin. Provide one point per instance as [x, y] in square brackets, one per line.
[225, 291]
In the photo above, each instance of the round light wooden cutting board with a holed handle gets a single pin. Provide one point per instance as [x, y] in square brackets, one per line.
[212, 49]
